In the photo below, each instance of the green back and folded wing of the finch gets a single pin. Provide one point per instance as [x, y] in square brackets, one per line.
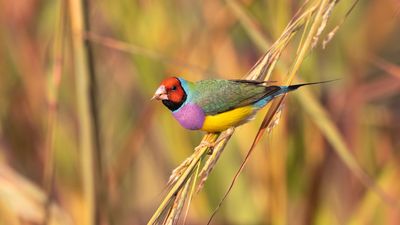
[217, 96]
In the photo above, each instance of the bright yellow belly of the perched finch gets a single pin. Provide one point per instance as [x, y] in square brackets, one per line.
[225, 120]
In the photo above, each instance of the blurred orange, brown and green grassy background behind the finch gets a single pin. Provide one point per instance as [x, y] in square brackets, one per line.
[294, 175]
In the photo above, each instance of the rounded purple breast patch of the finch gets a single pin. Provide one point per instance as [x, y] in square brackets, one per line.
[190, 116]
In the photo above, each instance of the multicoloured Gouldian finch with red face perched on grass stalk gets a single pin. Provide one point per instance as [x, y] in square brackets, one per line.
[216, 105]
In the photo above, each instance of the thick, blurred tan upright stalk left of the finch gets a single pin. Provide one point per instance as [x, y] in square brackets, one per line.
[86, 121]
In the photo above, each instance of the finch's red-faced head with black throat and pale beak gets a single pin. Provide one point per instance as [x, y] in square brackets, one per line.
[171, 93]
